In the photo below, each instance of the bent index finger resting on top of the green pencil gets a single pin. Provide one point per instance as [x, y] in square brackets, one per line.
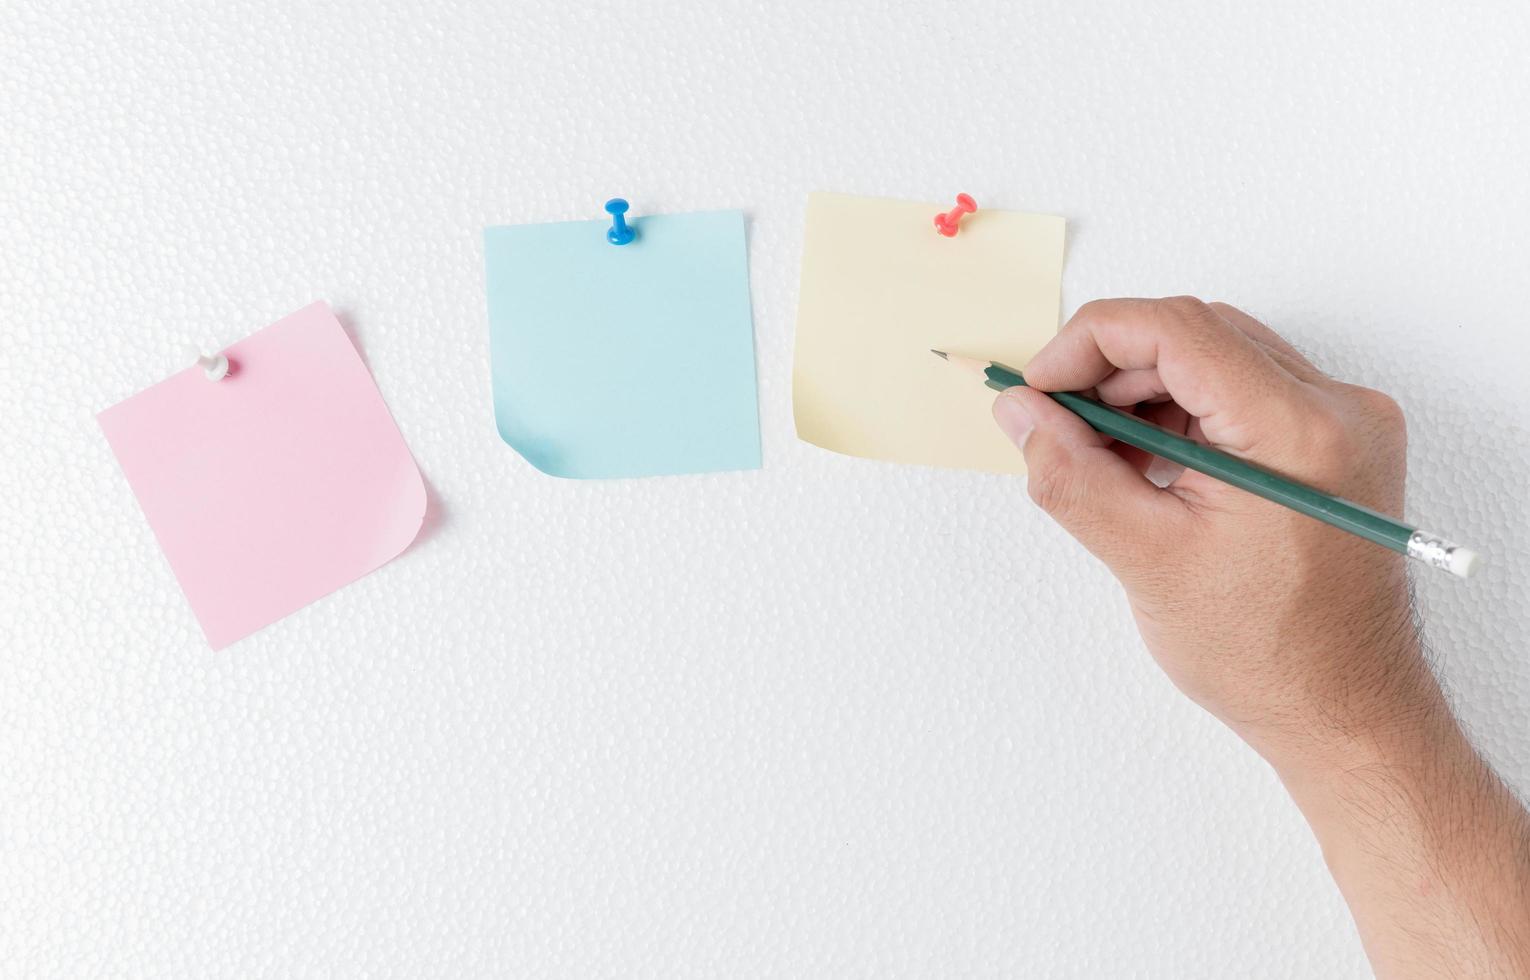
[1246, 401]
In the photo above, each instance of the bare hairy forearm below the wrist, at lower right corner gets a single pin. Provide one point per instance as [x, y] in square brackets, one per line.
[1428, 846]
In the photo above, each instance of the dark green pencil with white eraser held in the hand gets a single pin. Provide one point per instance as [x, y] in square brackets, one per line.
[1335, 511]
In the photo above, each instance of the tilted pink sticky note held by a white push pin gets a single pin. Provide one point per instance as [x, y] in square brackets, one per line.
[275, 487]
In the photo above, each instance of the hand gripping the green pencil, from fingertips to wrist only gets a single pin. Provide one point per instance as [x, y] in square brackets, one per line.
[1295, 634]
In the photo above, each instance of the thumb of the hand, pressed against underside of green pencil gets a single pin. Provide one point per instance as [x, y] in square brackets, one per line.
[1093, 493]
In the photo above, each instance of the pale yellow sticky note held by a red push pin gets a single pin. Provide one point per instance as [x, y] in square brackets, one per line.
[881, 288]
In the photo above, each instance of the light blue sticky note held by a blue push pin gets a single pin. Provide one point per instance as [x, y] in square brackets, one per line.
[625, 360]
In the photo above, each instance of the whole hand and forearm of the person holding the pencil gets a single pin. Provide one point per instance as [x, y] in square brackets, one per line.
[1295, 634]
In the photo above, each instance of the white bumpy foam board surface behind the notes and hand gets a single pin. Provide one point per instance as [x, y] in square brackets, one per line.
[825, 719]
